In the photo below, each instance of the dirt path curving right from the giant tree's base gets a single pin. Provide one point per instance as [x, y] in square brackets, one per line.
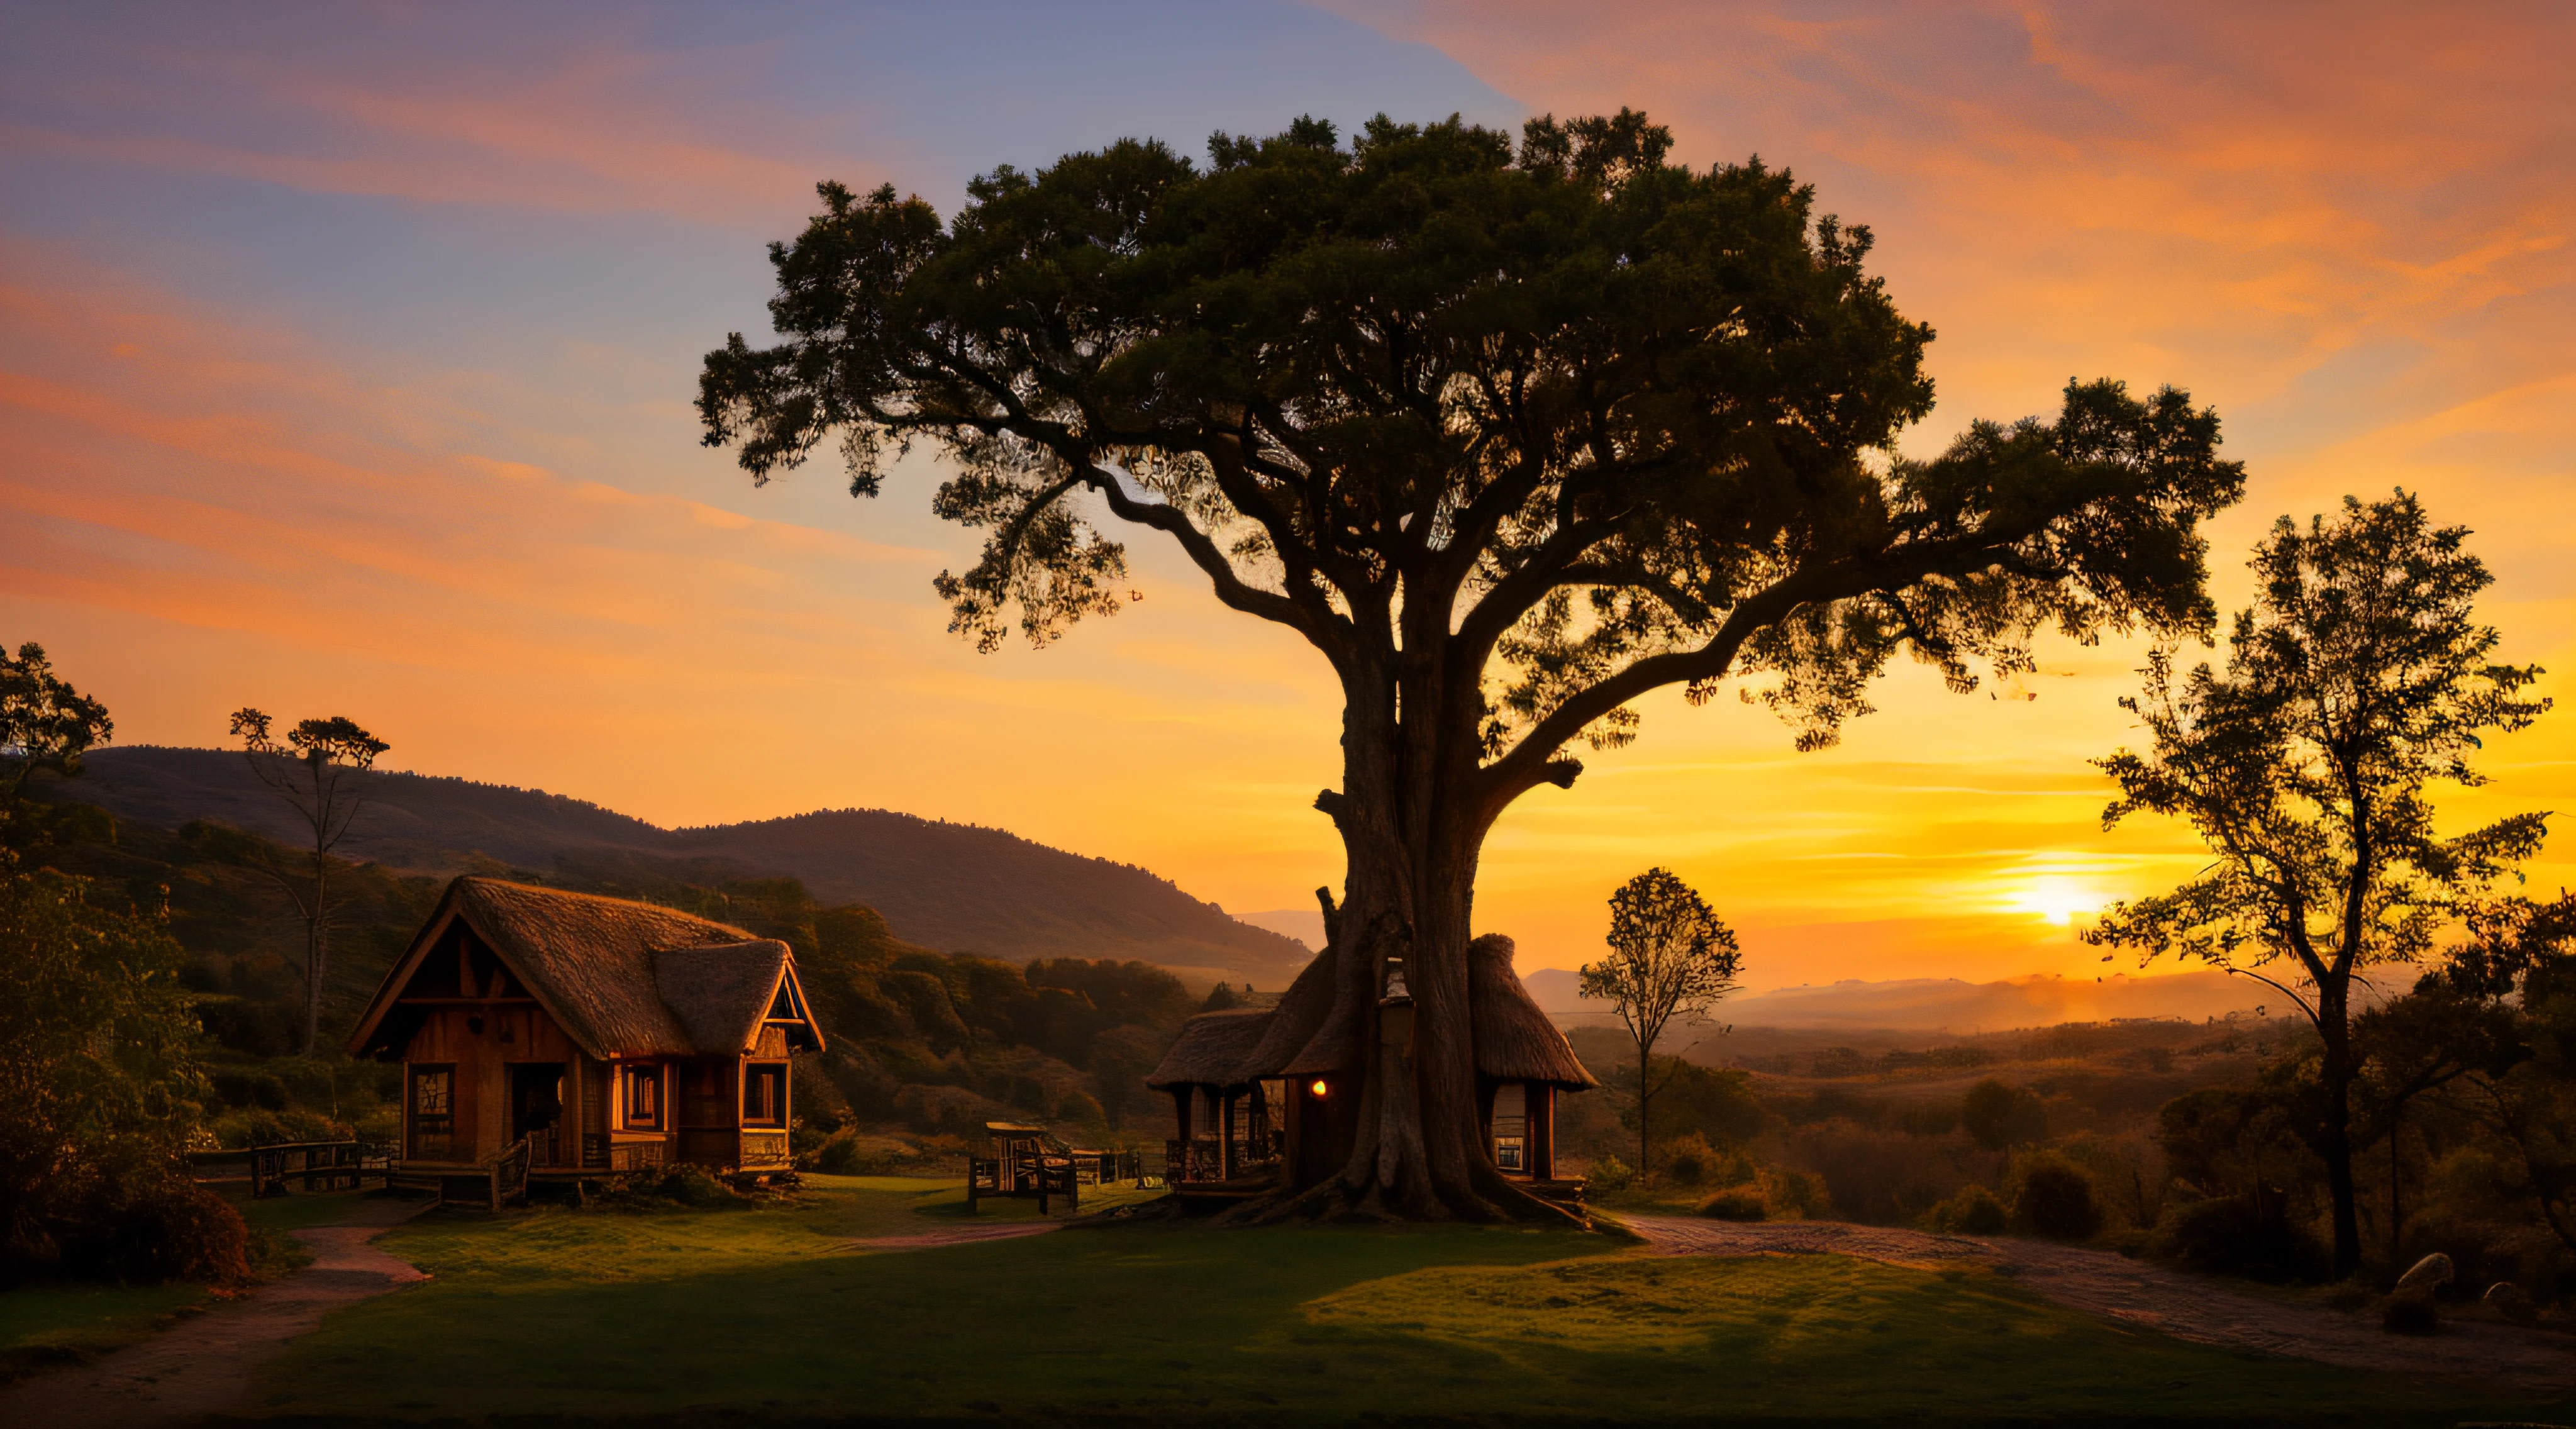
[2147, 1296]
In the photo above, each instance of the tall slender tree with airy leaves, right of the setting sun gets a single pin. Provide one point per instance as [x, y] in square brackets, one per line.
[2356, 684]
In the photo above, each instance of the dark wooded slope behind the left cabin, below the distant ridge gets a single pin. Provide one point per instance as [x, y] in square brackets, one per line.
[918, 1039]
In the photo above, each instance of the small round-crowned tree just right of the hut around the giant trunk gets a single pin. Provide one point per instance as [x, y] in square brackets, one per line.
[1671, 957]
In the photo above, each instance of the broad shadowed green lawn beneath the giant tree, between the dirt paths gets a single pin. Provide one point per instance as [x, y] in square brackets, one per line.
[772, 1314]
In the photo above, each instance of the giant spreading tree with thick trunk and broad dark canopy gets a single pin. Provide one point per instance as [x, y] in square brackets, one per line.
[1511, 436]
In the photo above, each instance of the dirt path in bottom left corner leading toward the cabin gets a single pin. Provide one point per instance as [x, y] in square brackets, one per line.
[210, 1363]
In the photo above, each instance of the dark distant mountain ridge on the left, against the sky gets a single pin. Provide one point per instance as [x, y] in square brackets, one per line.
[949, 887]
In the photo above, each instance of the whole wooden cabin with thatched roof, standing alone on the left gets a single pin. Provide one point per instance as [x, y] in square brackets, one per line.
[601, 1034]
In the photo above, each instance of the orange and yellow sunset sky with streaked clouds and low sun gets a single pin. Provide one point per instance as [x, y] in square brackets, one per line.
[346, 367]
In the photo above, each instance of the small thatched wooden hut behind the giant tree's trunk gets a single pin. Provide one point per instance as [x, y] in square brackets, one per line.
[1261, 1096]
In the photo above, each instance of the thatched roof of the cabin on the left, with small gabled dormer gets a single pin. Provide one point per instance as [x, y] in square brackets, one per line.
[622, 980]
